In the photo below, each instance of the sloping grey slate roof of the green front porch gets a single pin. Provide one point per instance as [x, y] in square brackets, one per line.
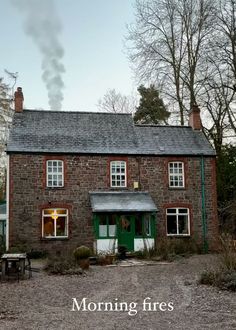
[122, 202]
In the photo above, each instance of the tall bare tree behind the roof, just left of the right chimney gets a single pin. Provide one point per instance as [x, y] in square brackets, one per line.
[168, 42]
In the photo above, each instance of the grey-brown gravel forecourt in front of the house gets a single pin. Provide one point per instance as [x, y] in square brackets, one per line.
[45, 302]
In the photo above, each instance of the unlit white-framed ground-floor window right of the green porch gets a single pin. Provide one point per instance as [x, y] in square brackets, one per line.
[178, 222]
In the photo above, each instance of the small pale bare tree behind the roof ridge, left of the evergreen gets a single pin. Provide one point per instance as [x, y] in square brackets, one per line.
[116, 102]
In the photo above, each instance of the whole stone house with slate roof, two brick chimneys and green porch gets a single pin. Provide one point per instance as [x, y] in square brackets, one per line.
[97, 179]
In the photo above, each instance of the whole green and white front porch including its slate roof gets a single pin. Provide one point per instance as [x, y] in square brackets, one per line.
[123, 219]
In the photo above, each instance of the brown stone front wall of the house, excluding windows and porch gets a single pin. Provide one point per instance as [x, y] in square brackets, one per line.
[83, 173]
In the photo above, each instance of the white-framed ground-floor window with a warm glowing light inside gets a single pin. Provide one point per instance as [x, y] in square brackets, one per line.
[55, 223]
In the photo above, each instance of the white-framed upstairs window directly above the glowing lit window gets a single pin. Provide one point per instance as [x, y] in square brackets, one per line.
[55, 173]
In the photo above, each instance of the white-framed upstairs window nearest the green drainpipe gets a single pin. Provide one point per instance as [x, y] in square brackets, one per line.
[176, 174]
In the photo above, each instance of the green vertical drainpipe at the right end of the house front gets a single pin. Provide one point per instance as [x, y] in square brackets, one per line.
[204, 224]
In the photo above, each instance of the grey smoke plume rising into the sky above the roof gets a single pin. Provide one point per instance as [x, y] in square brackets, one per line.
[43, 25]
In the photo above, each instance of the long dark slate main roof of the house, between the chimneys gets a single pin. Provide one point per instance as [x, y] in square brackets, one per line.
[100, 133]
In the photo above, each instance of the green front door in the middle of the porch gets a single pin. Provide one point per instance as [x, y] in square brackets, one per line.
[126, 231]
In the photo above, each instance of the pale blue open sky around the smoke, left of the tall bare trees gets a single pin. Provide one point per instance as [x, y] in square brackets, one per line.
[92, 37]
